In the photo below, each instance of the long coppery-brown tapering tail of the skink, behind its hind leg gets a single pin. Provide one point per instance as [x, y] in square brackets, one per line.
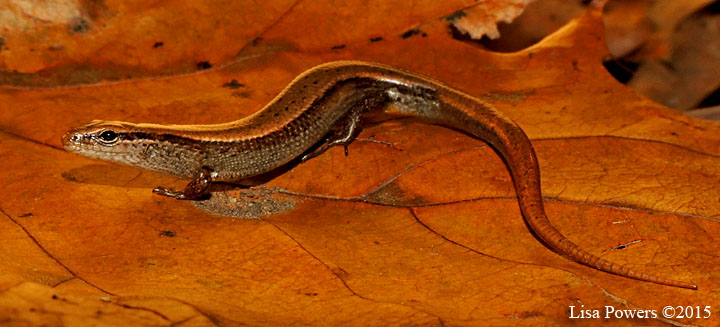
[483, 121]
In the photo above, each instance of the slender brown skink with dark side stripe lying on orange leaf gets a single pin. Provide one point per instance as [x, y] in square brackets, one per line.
[324, 106]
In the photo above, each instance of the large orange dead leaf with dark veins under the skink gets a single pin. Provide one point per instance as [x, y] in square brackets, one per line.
[418, 226]
